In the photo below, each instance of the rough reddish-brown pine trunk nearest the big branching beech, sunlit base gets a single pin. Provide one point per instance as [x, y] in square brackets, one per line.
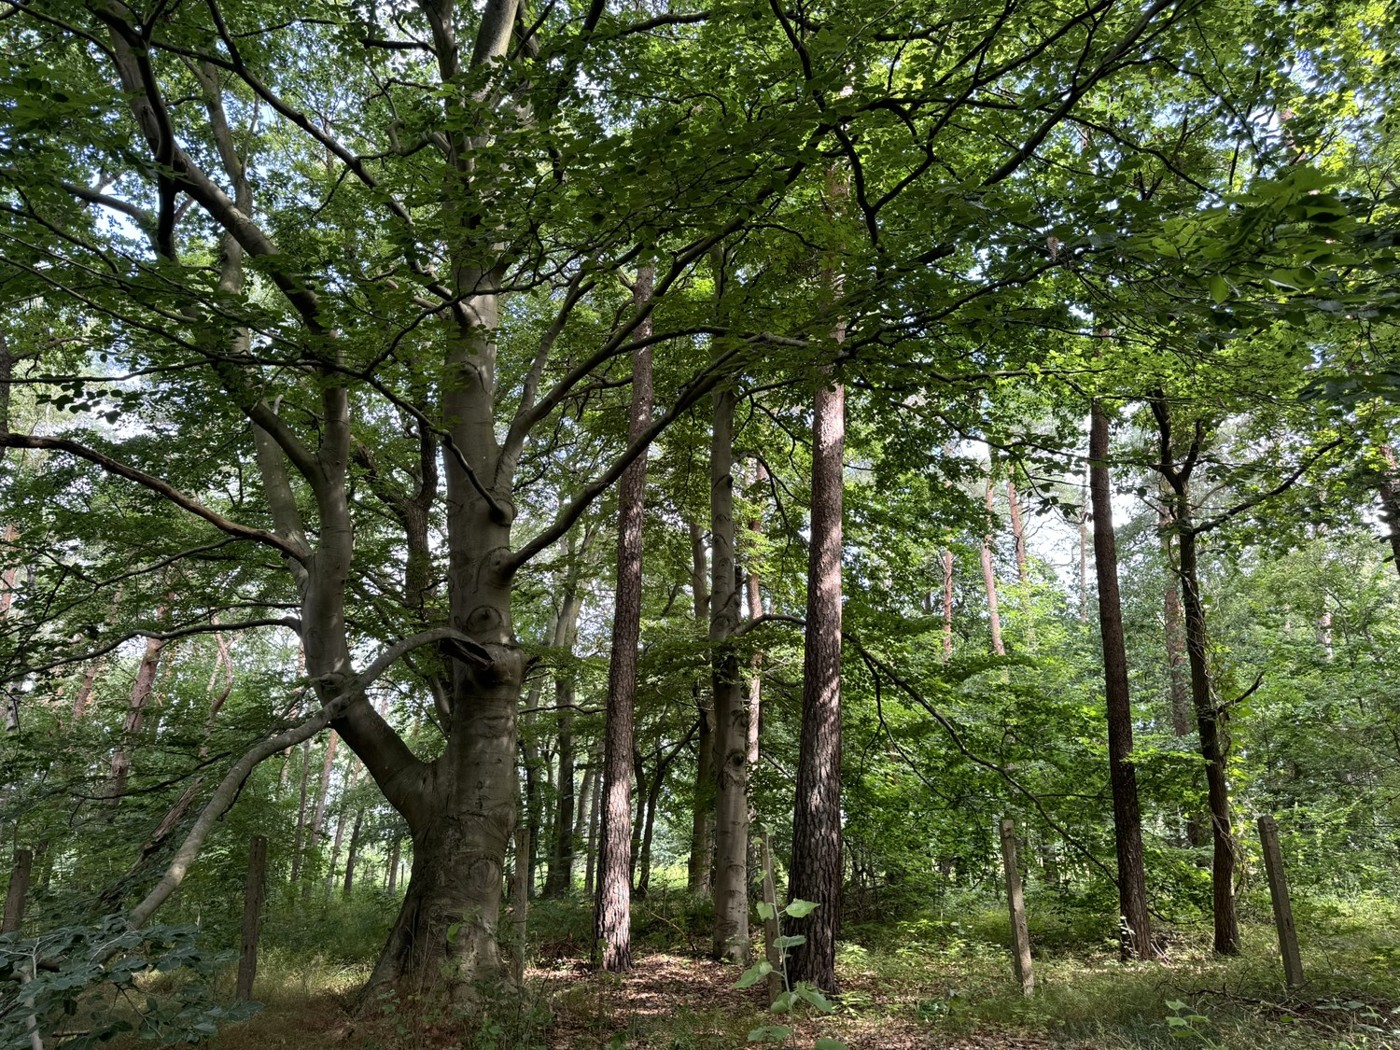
[614, 909]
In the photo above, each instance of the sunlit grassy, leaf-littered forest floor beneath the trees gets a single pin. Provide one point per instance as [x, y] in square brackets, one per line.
[940, 986]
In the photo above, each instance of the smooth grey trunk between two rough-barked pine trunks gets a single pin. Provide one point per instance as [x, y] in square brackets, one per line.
[731, 710]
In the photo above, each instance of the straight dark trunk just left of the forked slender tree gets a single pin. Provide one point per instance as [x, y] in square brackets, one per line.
[1128, 821]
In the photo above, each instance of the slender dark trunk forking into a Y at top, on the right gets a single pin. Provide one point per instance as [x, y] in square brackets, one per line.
[1210, 719]
